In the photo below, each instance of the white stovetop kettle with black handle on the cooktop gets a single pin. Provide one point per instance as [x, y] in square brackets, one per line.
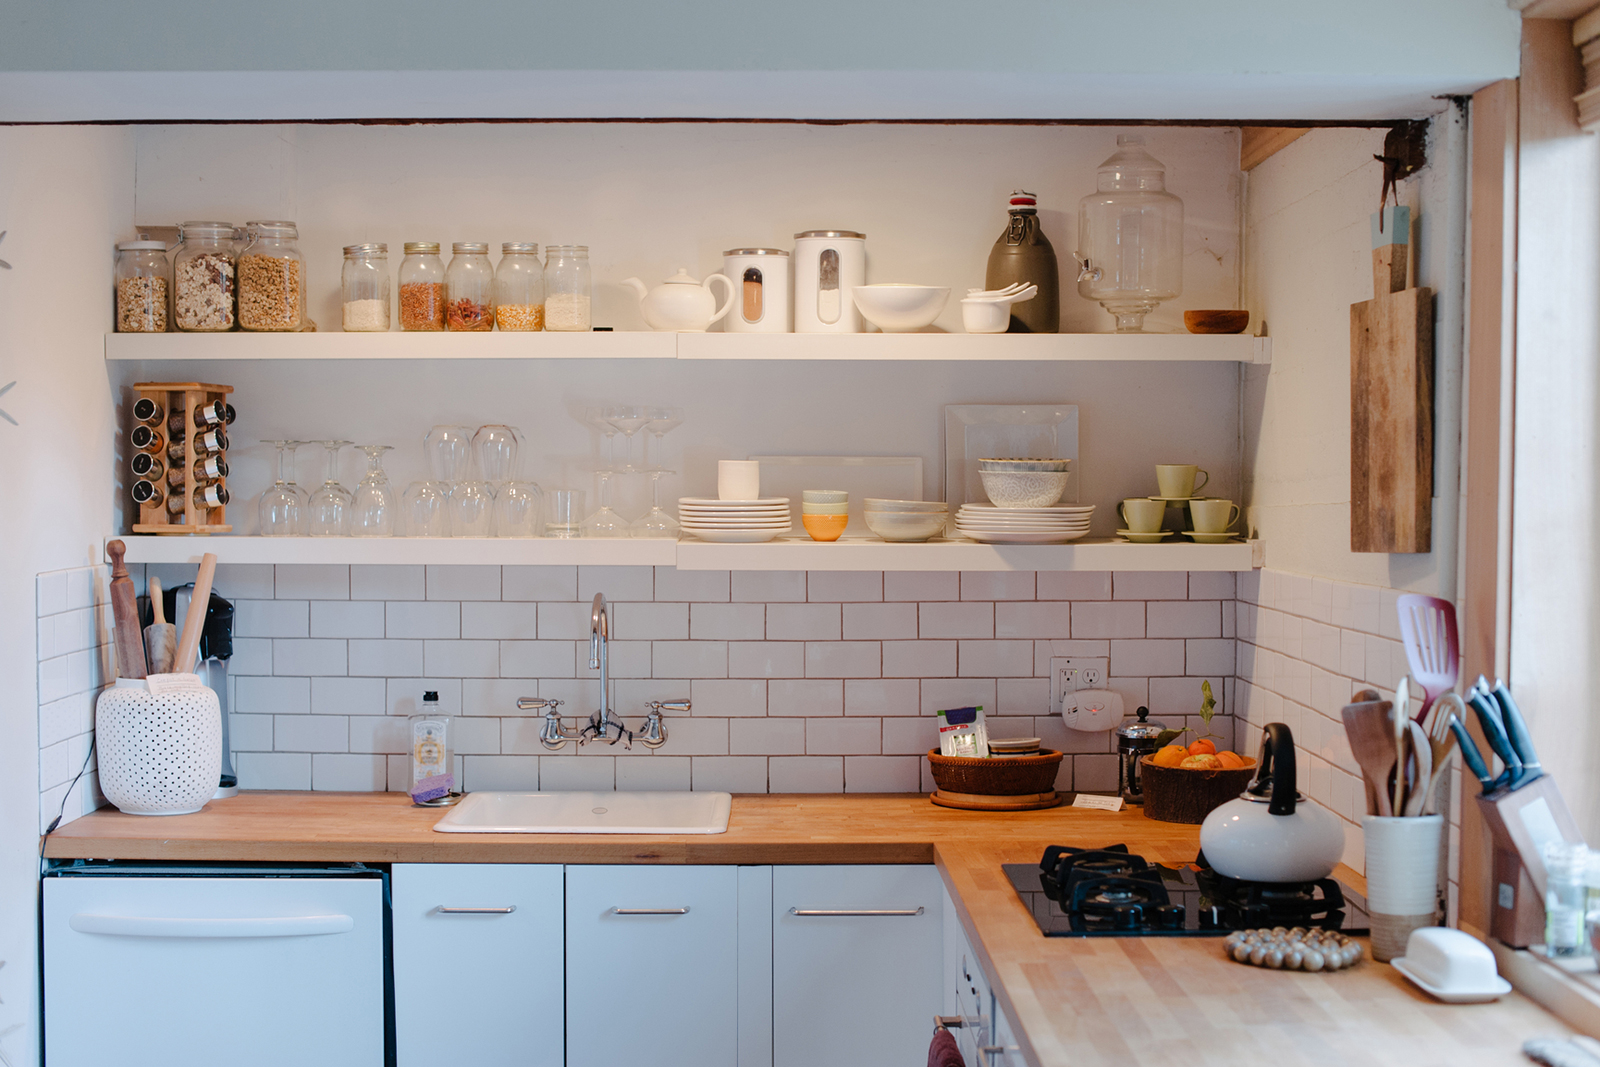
[1273, 833]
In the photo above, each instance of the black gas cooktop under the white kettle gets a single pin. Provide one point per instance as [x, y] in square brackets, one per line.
[1111, 893]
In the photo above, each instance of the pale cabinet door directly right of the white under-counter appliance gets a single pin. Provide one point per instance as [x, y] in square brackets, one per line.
[479, 965]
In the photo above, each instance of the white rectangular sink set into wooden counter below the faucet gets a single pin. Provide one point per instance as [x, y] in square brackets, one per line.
[588, 813]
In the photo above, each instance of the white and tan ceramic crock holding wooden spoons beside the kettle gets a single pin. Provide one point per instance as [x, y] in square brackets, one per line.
[1402, 879]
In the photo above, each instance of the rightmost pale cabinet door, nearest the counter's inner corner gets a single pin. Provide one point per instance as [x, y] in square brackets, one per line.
[857, 967]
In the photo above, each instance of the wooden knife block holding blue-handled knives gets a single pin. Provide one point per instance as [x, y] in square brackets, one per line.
[1522, 823]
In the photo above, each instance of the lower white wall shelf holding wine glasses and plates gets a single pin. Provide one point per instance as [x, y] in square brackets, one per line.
[786, 554]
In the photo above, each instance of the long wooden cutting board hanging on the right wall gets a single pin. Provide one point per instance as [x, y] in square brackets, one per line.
[1393, 402]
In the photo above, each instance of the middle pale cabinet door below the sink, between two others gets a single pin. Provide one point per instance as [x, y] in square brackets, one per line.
[652, 967]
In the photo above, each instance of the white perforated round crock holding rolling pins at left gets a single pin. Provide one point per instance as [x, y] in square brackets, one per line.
[159, 754]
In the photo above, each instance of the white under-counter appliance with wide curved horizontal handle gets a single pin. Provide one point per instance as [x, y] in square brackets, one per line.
[158, 967]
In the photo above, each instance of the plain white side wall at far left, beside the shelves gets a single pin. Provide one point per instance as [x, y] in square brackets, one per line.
[66, 194]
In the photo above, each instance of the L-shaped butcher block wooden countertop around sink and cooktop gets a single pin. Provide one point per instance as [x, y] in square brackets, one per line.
[1127, 1002]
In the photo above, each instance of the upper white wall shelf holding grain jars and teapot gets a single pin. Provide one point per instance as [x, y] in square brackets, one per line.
[686, 346]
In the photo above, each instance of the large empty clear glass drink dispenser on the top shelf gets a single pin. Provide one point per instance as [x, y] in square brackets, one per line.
[1130, 238]
